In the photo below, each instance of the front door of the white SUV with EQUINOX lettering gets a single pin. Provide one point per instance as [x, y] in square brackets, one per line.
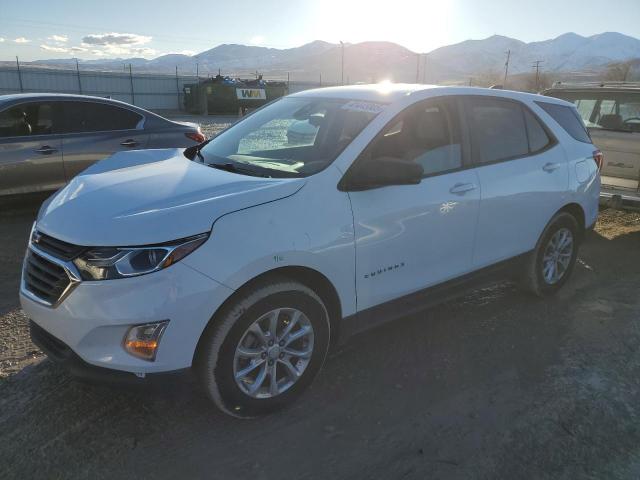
[409, 237]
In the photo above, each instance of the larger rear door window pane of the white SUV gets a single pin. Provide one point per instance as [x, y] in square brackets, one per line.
[497, 129]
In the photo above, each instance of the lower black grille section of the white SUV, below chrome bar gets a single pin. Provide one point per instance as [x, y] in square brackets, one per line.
[44, 279]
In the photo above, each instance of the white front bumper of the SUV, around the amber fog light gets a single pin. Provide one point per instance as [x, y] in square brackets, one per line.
[92, 320]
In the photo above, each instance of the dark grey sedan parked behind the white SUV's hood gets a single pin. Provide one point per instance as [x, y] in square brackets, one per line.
[47, 139]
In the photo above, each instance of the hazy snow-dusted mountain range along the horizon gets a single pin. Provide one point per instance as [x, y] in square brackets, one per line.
[373, 61]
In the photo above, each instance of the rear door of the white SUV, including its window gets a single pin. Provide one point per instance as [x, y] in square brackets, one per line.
[523, 176]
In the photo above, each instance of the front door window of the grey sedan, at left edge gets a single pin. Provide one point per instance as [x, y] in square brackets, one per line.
[27, 119]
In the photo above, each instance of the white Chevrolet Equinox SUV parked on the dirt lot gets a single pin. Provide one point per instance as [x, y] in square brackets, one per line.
[247, 257]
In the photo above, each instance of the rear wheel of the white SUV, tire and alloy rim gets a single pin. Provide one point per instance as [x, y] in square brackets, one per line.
[550, 265]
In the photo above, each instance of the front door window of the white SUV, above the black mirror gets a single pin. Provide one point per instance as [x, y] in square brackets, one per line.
[427, 134]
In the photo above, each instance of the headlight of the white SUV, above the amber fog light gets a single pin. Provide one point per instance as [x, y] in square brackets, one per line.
[107, 263]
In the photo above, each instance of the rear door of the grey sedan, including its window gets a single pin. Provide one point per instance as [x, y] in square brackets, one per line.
[93, 131]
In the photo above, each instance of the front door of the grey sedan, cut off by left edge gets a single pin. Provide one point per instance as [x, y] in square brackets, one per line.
[30, 152]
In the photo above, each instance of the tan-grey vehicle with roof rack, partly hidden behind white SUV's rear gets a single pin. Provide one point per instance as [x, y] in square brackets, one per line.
[611, 113]
